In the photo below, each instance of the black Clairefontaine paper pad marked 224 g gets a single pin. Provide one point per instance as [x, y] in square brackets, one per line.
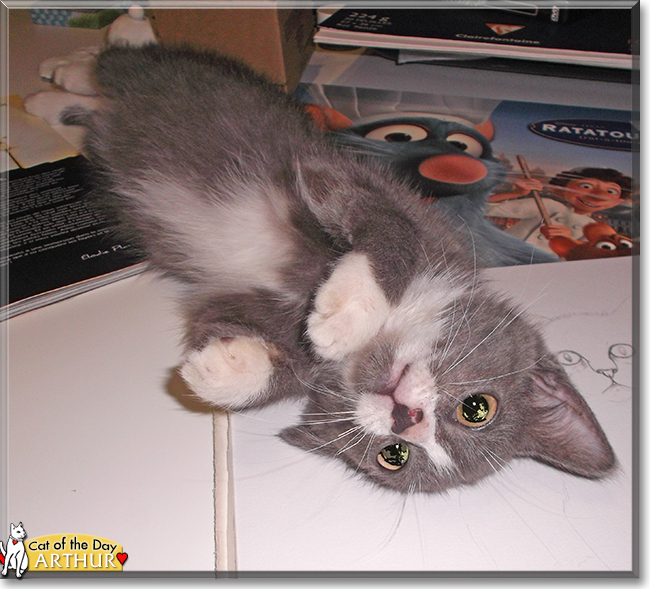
[588, 37]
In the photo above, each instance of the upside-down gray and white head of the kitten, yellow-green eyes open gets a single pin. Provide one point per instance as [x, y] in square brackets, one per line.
[448, 397]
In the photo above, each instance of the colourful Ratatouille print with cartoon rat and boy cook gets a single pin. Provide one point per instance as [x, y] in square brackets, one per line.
[559, 179]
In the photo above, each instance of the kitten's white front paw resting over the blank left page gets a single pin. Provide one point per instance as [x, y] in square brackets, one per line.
[229, 372]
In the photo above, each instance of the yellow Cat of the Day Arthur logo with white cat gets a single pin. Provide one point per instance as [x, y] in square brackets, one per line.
[60, 552]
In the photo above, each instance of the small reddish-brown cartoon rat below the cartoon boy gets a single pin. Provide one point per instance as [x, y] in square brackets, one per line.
[602, 242]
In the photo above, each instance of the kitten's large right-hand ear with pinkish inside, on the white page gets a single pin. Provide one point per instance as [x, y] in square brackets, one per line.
[561, 429]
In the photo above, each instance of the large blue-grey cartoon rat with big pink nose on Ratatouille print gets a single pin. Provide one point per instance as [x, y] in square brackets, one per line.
[450, 163]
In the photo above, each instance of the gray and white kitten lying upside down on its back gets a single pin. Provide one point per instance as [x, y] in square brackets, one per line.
[311, 274]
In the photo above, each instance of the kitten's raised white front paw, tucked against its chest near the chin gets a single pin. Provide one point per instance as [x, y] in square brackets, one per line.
[349, 309]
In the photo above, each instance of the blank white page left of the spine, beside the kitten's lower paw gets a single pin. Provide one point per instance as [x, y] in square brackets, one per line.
[101, 438]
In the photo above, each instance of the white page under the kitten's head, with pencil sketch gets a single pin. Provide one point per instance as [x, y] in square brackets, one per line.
[301, 512]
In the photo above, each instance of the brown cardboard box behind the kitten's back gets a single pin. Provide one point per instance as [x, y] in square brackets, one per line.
[276, 42]
